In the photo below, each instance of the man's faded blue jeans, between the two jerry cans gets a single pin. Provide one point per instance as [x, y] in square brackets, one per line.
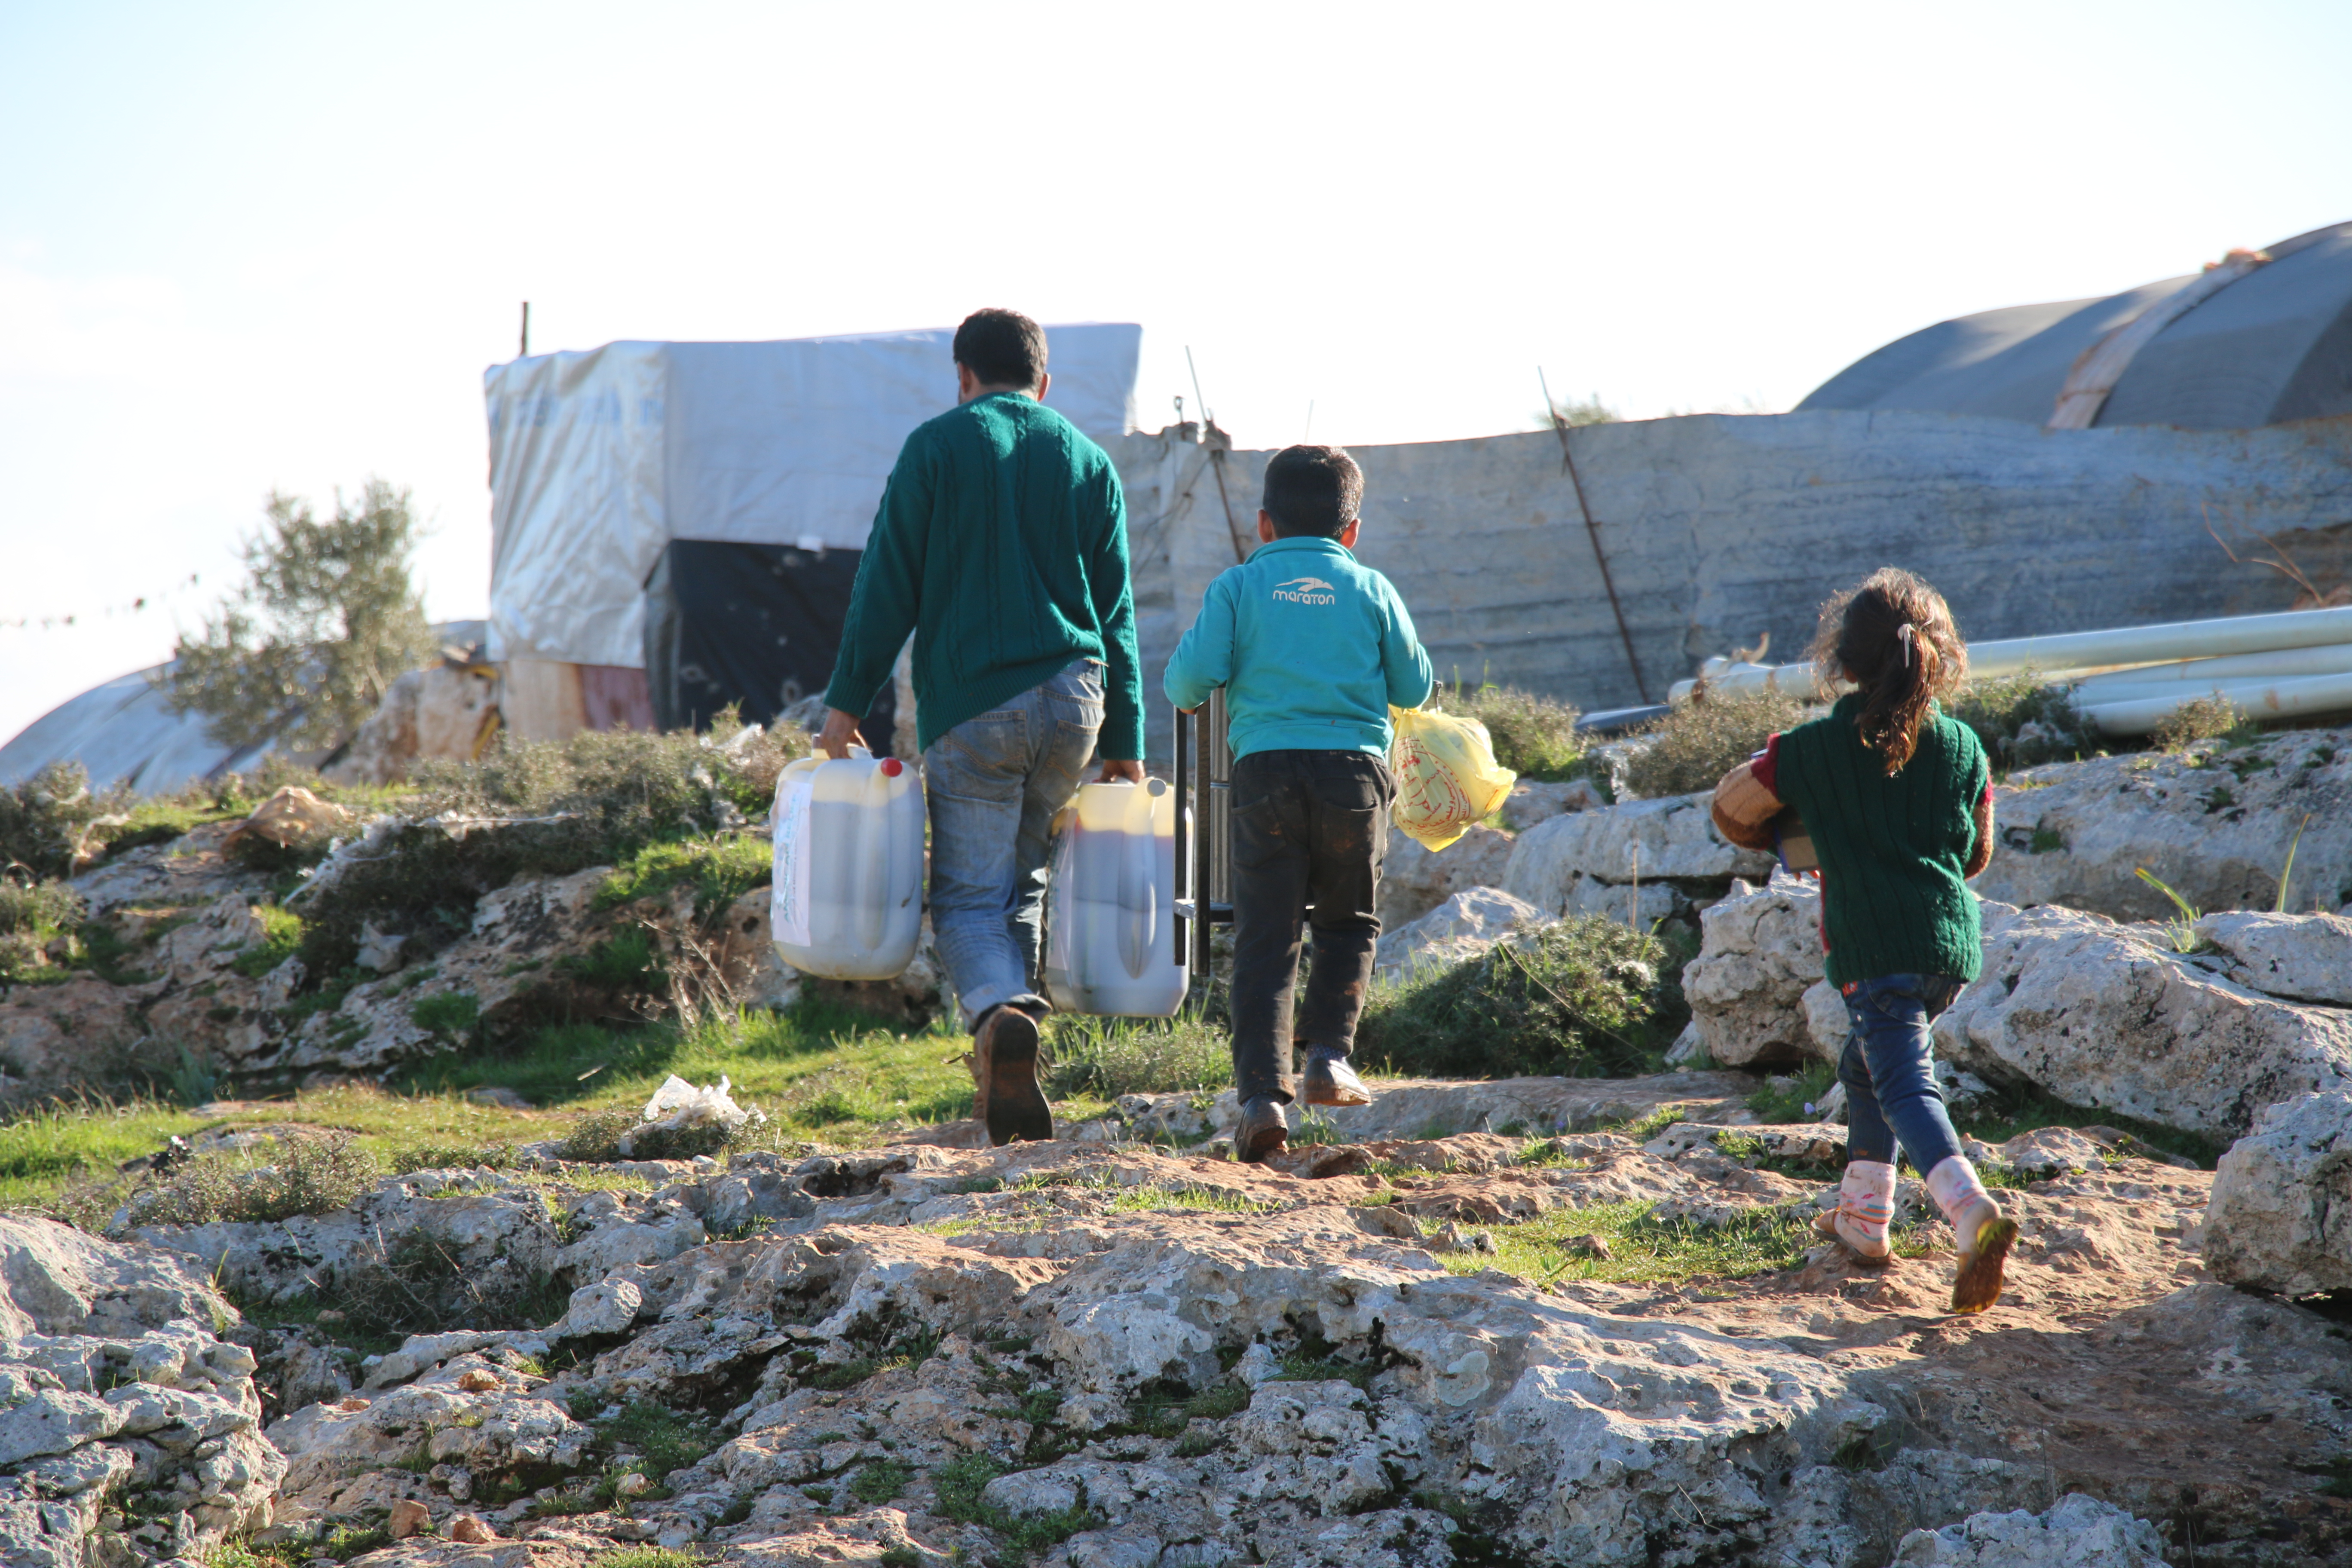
[996, 784]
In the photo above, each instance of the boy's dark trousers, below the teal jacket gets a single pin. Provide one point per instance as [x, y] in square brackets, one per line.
[1309, 829]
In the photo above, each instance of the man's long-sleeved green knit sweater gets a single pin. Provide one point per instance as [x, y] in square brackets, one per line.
[1003, 547]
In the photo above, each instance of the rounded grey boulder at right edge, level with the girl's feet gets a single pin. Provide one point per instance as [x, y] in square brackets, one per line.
[2283, 1200]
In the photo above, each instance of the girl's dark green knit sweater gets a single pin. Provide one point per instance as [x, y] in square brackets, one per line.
[1892, 850]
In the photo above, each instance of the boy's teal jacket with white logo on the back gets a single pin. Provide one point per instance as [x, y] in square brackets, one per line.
[1311, 650]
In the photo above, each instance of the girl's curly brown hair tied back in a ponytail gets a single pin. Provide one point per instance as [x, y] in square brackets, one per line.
[1897, 643]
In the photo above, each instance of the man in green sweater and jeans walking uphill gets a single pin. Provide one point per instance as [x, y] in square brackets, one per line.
[1003, 547]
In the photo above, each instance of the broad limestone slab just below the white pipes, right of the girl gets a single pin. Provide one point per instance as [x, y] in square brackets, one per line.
[2214, 826]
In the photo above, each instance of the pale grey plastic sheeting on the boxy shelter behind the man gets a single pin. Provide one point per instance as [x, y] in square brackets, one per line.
[599, 460]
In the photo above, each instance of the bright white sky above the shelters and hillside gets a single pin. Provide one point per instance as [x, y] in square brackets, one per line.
[276, 246]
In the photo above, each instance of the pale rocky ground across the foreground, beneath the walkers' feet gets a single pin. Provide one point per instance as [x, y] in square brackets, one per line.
[1398, 1351]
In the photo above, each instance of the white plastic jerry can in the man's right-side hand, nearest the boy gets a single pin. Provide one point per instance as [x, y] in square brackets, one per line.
[1111, 913]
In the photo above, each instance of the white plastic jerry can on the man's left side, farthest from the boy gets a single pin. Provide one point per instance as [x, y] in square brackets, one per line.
[848, 899]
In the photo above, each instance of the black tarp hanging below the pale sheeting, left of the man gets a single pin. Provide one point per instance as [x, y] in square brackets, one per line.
[749, 624]
